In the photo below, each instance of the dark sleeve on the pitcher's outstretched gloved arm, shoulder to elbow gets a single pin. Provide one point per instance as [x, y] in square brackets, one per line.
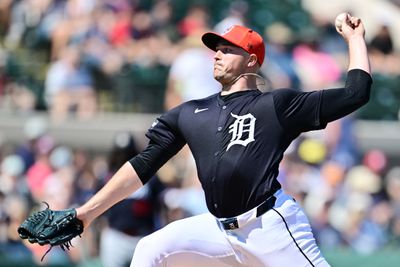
[165, 141]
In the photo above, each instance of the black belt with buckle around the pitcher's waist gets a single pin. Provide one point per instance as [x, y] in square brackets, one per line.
[235, 222]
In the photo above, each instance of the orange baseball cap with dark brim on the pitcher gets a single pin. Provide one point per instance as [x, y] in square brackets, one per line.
[243, 37]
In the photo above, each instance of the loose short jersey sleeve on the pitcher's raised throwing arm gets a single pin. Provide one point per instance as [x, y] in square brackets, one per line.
[298, 111]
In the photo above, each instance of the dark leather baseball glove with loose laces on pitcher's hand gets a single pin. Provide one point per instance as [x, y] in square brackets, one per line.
[56, 228]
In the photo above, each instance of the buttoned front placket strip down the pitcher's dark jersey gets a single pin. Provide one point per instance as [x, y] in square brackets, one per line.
[217, 155]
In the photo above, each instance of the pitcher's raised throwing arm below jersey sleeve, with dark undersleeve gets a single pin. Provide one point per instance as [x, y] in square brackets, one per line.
[337, 103]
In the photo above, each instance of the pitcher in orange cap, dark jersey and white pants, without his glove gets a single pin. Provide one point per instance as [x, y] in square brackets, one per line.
[238, 138]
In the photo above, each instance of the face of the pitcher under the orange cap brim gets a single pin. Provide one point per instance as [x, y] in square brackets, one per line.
[230, 62]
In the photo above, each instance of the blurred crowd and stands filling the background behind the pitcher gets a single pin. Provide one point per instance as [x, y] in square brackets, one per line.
[82, 80]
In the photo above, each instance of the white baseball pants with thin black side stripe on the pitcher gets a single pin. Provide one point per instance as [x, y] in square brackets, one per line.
[280, 237]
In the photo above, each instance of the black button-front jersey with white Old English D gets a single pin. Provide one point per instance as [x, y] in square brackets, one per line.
[237, 141]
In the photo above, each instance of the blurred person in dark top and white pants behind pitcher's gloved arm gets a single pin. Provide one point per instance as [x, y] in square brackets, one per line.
[132, 218]
